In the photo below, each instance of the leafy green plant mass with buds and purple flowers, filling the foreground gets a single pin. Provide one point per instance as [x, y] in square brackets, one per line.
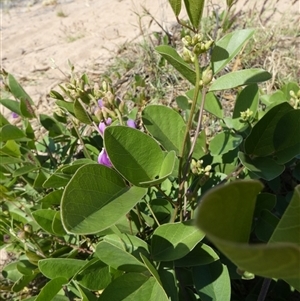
[172, 210]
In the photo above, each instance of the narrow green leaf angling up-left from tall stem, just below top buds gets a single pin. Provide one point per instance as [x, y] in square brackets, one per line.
[177, 62]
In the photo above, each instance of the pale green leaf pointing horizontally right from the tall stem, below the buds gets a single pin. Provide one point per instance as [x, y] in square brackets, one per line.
[240, 78]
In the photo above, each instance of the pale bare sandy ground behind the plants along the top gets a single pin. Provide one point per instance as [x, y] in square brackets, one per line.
[38, 37]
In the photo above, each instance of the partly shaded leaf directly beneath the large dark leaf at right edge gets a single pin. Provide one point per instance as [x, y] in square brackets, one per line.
[264, 167]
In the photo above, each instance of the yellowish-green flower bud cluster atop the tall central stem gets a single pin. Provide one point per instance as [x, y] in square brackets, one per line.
[195, 45]
